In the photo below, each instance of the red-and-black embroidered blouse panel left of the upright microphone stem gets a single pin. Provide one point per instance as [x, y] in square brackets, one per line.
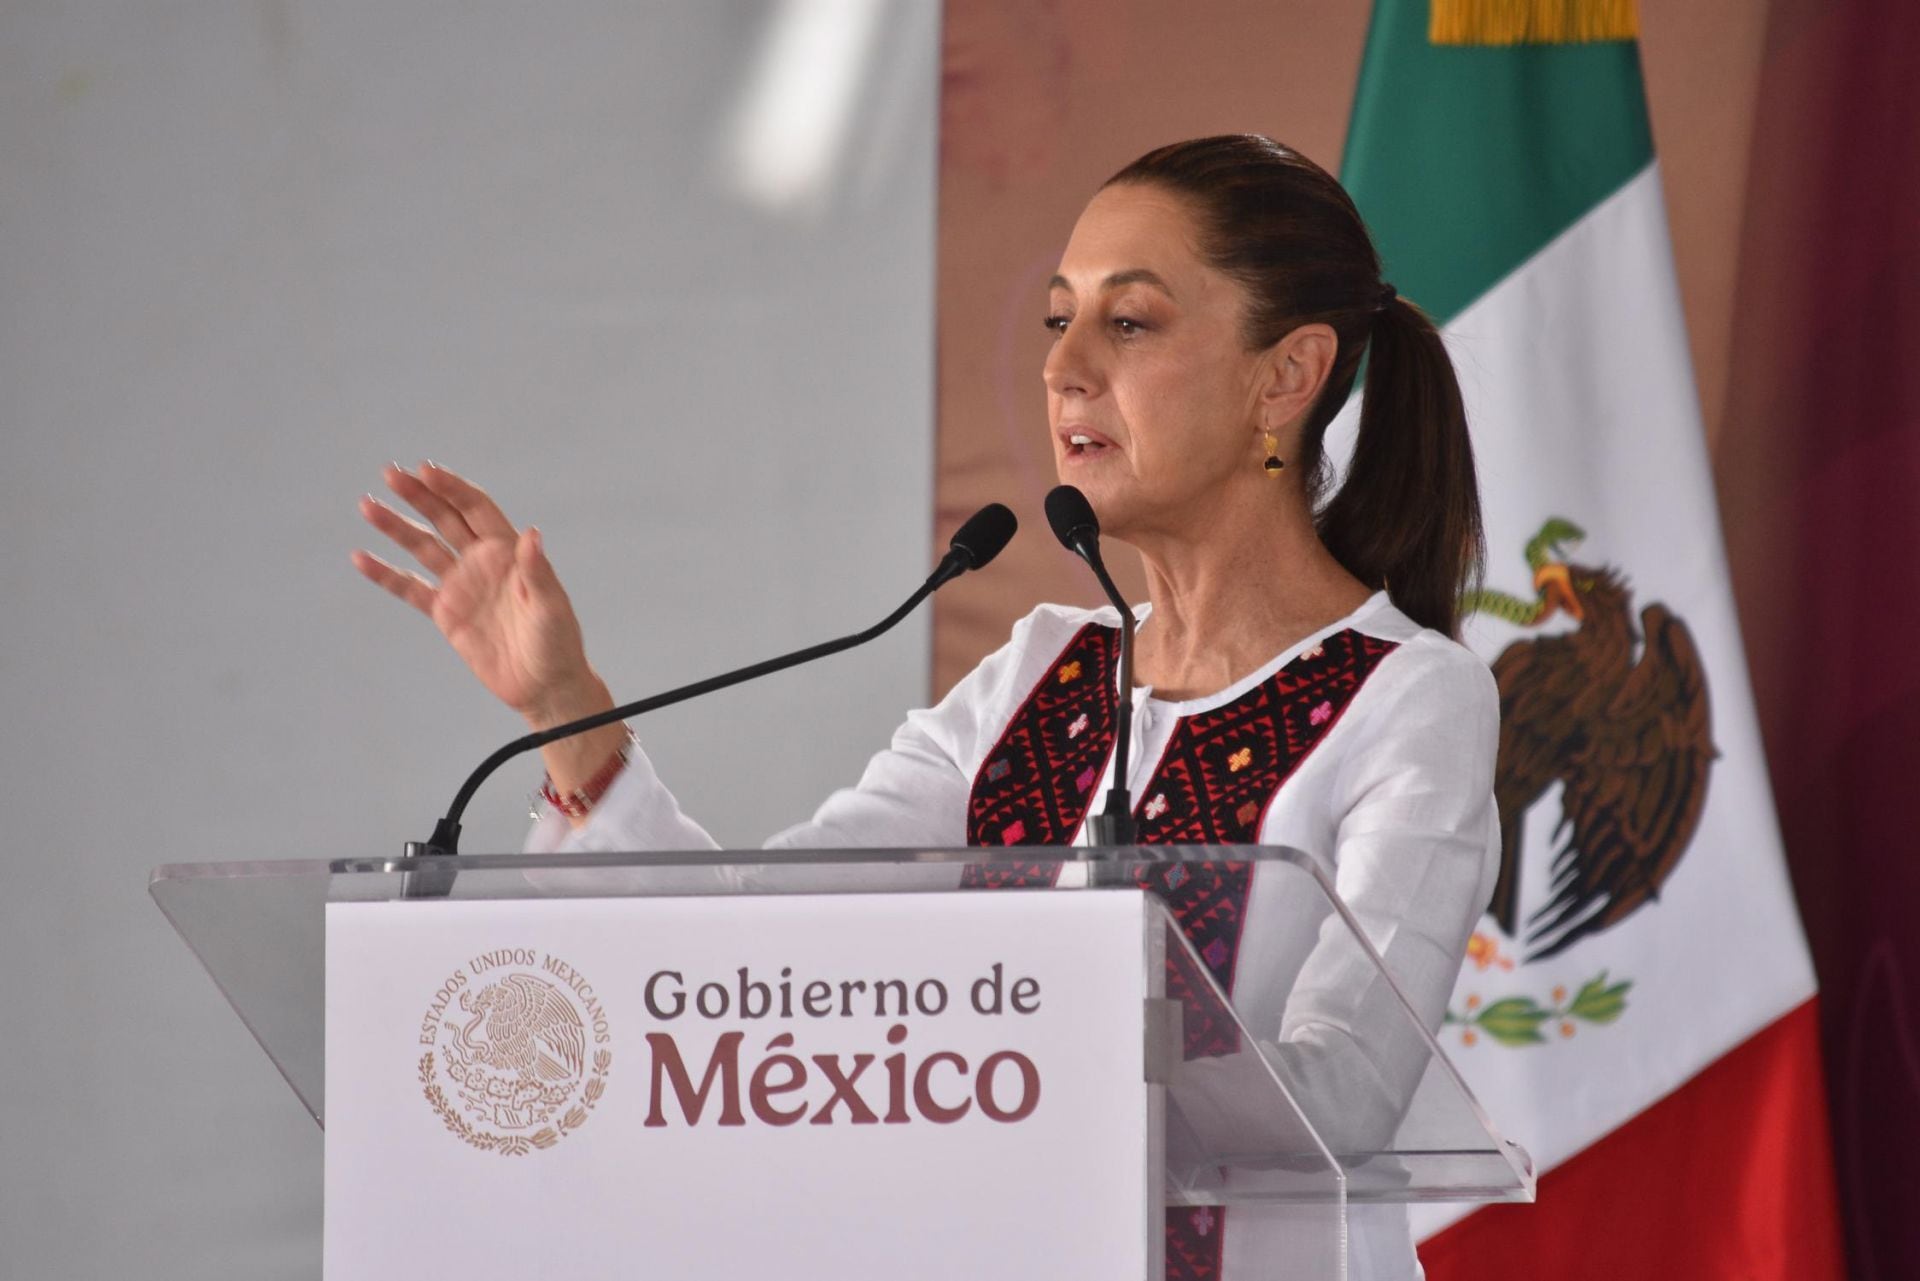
[1038, 783]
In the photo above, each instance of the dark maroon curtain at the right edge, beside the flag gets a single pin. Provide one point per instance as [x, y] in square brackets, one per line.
[1819, 471]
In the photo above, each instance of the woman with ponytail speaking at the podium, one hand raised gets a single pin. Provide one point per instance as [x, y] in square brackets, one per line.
[1297, 673]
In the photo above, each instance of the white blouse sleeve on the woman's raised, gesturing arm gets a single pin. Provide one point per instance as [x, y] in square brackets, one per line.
[913, 794]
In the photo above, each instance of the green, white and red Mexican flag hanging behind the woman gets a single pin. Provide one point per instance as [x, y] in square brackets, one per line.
[1639, 1005]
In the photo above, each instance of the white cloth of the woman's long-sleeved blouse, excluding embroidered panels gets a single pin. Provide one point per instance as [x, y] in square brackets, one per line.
[1395, 802]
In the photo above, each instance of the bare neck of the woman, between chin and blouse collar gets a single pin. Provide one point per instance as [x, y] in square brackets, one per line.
[1234, 594]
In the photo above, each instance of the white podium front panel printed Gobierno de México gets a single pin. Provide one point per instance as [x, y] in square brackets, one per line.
[828, 1086]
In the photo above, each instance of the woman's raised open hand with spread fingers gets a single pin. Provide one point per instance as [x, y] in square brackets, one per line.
[492, 594]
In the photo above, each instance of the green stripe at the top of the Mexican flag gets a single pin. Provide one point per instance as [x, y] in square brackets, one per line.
[1468, 160]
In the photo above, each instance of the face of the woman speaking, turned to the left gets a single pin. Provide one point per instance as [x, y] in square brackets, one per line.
[1151, 393]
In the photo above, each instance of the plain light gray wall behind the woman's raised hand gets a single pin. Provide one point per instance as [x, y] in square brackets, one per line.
[249, 253]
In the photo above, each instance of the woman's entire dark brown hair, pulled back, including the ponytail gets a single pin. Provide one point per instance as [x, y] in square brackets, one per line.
[1408, 512]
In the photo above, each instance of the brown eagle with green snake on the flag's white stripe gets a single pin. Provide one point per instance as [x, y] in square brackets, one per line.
[1614, 713]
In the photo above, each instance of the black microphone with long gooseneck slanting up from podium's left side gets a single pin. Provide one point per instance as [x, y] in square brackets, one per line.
[974, 544]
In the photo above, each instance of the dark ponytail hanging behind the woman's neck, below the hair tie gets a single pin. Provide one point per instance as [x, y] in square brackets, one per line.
[1408, 514]
